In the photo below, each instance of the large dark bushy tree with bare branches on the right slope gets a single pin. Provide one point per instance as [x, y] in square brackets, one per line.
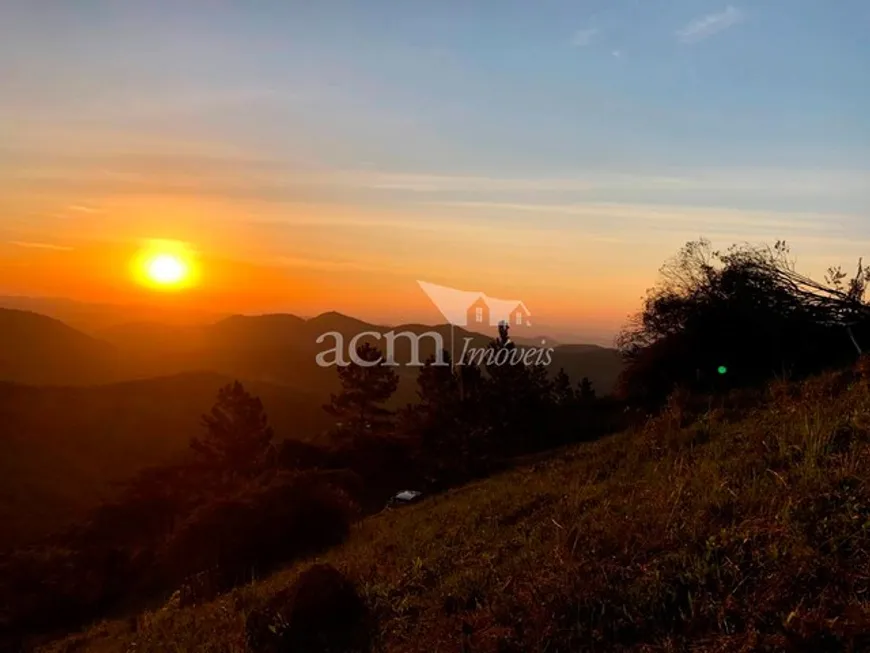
[746, 312]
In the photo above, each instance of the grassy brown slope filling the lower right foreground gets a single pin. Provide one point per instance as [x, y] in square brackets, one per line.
[732, 533]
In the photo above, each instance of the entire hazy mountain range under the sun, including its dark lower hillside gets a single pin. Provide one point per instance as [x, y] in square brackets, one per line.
[81, 411]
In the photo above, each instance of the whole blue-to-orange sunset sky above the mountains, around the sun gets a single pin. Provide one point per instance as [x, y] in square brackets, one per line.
[327, 155]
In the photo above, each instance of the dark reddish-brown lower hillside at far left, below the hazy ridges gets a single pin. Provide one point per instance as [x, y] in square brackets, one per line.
[63, 447]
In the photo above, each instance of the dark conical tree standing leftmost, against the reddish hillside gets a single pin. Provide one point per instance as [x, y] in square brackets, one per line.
[238, 438]
